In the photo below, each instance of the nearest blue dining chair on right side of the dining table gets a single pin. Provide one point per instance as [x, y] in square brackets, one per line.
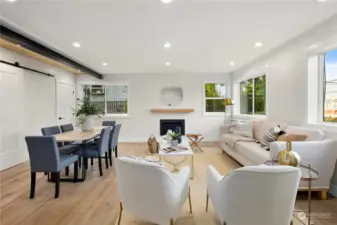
[98, 150]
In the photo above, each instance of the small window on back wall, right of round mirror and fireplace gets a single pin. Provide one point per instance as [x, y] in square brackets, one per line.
[215, 93]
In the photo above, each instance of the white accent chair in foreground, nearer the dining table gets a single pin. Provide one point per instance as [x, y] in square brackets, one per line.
[150, 192]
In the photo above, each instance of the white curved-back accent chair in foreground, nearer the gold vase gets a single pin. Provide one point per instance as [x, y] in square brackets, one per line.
[254, 195]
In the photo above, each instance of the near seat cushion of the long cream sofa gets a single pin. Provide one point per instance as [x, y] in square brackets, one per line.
[253, 152]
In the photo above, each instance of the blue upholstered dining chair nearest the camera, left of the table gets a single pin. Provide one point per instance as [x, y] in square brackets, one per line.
[45, 157]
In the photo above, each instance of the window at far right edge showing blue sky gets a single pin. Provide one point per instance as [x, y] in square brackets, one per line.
[330, 87]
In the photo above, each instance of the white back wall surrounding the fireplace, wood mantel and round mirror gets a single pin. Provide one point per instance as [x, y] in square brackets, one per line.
[145, 93]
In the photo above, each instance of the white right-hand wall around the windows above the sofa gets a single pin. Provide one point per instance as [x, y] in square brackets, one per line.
[287, 77]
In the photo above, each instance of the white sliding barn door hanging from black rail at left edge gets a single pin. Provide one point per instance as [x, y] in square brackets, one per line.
[11, 119]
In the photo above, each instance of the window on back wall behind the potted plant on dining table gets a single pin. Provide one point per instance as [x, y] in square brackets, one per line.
[109, 99]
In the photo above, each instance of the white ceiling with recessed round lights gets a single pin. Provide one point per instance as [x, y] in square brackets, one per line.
[129, 35]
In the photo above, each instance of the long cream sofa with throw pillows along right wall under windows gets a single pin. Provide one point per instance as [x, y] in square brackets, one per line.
[317, 151]
